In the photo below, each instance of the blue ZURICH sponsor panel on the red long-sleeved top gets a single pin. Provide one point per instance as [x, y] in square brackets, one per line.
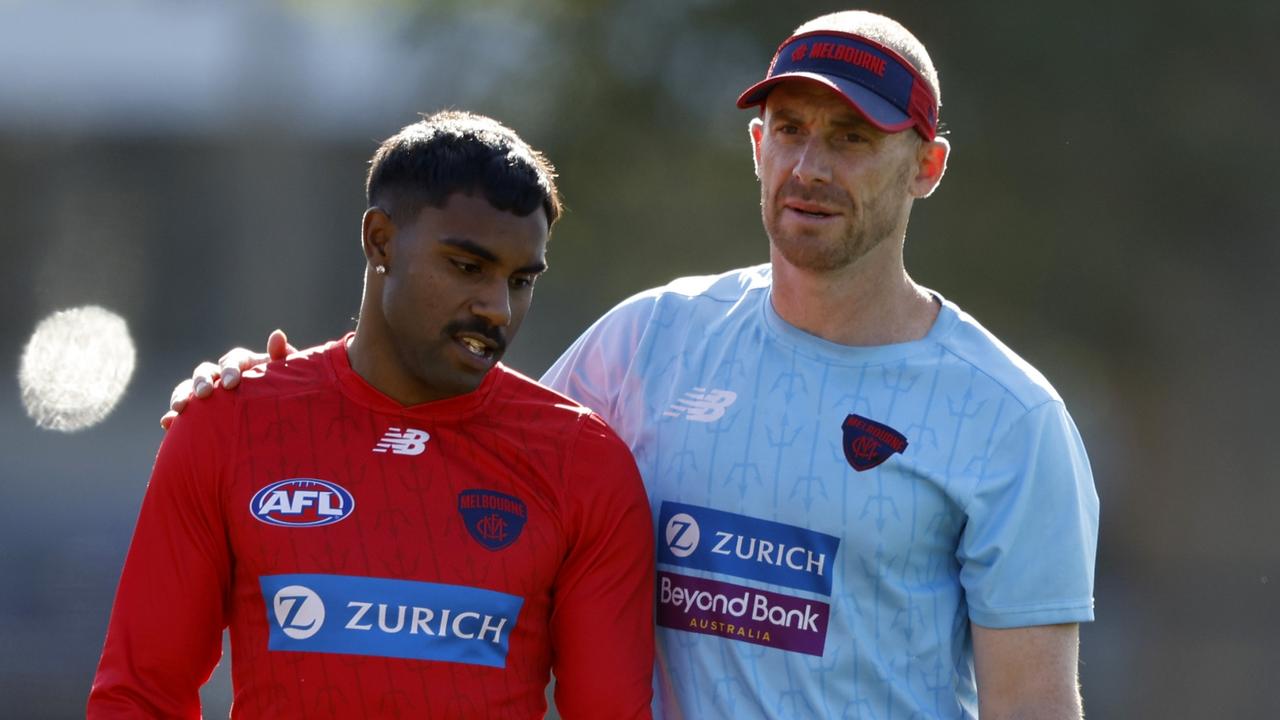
[386, 618]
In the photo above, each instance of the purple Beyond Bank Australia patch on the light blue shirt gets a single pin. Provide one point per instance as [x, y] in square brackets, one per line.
[728, 610]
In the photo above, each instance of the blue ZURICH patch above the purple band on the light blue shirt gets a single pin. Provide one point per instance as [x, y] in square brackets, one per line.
[747, 548]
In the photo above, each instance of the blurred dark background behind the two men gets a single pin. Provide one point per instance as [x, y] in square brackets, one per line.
[198, 167]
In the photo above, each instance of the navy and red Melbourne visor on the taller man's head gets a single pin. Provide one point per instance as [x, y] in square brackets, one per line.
[879, 83]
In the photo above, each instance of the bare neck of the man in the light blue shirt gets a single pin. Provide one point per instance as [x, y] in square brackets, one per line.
[868, 303]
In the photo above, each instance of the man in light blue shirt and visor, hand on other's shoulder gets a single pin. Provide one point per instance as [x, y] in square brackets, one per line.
[867, 507]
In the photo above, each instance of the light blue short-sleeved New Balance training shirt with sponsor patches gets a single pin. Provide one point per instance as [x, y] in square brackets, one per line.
[830, 520]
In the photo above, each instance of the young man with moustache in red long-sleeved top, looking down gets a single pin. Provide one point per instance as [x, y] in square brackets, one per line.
[396, 525]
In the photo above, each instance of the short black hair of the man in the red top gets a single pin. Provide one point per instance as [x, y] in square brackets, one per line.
[458, 152]
